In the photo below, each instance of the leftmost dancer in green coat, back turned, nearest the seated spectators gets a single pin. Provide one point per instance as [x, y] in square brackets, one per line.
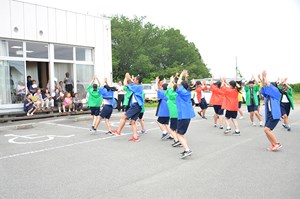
[94, 101]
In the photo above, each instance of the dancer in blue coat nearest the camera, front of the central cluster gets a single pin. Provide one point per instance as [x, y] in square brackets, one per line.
[185, 112]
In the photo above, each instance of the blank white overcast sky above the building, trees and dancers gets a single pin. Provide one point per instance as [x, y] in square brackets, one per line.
[262, 34]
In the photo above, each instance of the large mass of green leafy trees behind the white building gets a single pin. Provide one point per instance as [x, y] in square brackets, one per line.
[147, 50]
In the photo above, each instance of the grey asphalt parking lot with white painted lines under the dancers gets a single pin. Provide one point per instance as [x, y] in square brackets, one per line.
[59, 158]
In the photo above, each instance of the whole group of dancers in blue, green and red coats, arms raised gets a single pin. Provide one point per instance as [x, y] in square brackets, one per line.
[175, 108]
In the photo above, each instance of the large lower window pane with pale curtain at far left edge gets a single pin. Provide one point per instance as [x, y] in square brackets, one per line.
[12, 82]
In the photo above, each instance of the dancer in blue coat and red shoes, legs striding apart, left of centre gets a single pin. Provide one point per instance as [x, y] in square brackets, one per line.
[136, 103]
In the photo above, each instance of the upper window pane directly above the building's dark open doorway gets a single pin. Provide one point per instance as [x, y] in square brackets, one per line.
[37, 50]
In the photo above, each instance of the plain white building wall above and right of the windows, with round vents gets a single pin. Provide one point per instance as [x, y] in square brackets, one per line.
[33, 22]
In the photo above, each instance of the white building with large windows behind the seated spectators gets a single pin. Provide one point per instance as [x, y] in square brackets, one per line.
[45, 43]
